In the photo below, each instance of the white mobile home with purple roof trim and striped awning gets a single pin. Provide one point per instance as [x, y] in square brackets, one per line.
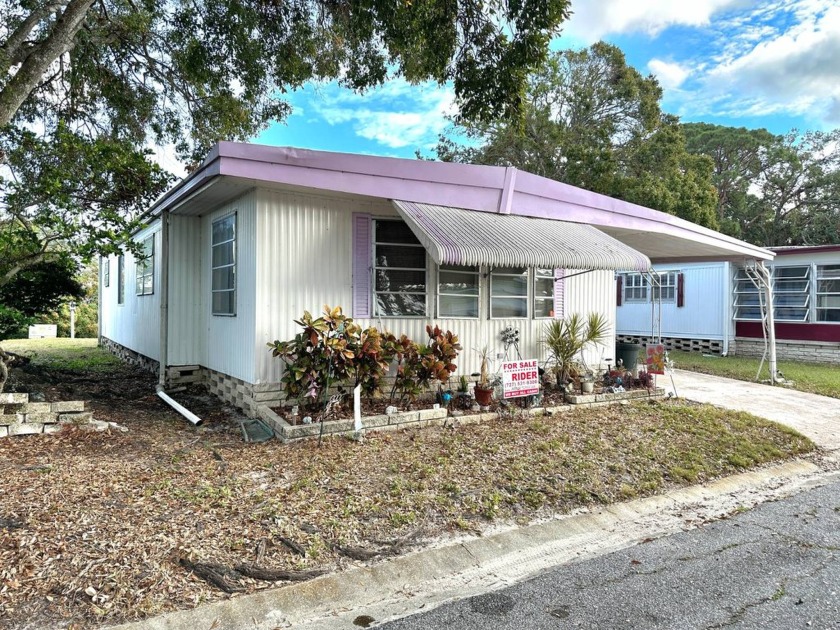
[241, 247]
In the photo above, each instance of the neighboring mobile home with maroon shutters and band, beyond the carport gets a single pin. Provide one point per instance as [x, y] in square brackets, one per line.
[715, 307]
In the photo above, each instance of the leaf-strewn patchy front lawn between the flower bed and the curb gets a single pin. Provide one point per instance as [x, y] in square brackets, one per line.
[96, 528]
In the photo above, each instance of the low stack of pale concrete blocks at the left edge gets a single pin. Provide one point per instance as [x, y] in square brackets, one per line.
[18, 416]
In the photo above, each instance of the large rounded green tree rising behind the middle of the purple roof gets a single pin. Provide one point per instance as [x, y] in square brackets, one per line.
[592, 121]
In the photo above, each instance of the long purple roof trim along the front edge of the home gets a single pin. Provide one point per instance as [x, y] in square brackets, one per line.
[472, 187]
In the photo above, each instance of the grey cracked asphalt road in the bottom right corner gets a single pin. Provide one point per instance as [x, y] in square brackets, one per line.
[776, 566]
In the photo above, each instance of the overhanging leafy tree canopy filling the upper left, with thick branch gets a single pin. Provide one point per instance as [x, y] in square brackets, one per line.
[86, 87]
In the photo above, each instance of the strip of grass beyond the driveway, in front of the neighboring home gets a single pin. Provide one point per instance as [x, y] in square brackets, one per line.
[817, 378]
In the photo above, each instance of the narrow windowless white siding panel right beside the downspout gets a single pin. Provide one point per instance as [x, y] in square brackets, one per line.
[187, 317]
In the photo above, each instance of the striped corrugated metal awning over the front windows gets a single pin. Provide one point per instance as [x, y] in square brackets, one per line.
[454, 236]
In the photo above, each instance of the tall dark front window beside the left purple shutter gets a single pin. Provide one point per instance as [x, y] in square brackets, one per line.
[399, 270]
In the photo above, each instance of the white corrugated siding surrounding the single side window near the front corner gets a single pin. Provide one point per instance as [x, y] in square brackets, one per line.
[230, 349]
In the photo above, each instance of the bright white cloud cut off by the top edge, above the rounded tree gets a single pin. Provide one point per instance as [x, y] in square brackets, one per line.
[591, 21]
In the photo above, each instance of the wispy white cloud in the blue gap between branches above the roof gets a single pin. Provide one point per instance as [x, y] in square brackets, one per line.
[396, 115]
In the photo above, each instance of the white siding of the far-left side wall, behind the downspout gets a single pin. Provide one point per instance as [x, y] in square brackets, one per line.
[134, 324]
